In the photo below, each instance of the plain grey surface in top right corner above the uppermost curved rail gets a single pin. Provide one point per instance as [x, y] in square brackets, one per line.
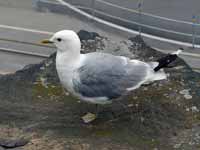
[175, 9]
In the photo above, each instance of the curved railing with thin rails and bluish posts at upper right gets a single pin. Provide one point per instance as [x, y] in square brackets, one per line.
[145, 22]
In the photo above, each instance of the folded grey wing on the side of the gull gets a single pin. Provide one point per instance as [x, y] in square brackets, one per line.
[108, 76]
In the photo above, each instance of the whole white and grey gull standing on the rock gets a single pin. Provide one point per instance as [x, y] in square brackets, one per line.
[97, 77]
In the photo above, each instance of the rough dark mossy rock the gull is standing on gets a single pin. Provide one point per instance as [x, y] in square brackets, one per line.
[34, 105]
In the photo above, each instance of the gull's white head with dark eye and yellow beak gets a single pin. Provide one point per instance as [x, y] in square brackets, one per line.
[65, 40]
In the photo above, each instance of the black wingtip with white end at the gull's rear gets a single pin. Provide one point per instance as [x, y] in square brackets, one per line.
[165, 61]
